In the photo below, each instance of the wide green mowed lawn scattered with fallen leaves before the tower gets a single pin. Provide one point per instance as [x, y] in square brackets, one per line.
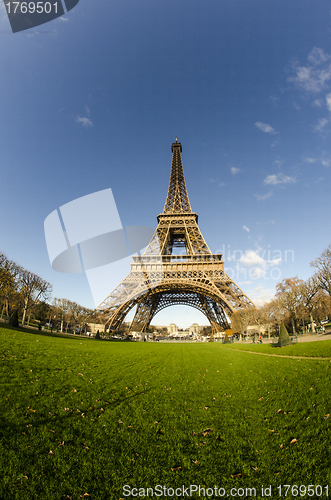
[81, 418]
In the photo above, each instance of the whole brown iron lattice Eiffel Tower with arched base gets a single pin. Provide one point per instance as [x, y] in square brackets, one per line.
[159, 278]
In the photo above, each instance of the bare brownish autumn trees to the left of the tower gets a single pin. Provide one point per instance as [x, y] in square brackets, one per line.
[26, 295]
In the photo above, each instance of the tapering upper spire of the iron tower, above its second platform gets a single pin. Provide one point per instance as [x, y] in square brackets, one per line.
[177, 198]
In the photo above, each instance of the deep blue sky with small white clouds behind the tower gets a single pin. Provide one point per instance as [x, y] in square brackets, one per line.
[94, 100]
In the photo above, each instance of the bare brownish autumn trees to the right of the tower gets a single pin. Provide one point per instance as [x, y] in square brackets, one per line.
[300, 304]
